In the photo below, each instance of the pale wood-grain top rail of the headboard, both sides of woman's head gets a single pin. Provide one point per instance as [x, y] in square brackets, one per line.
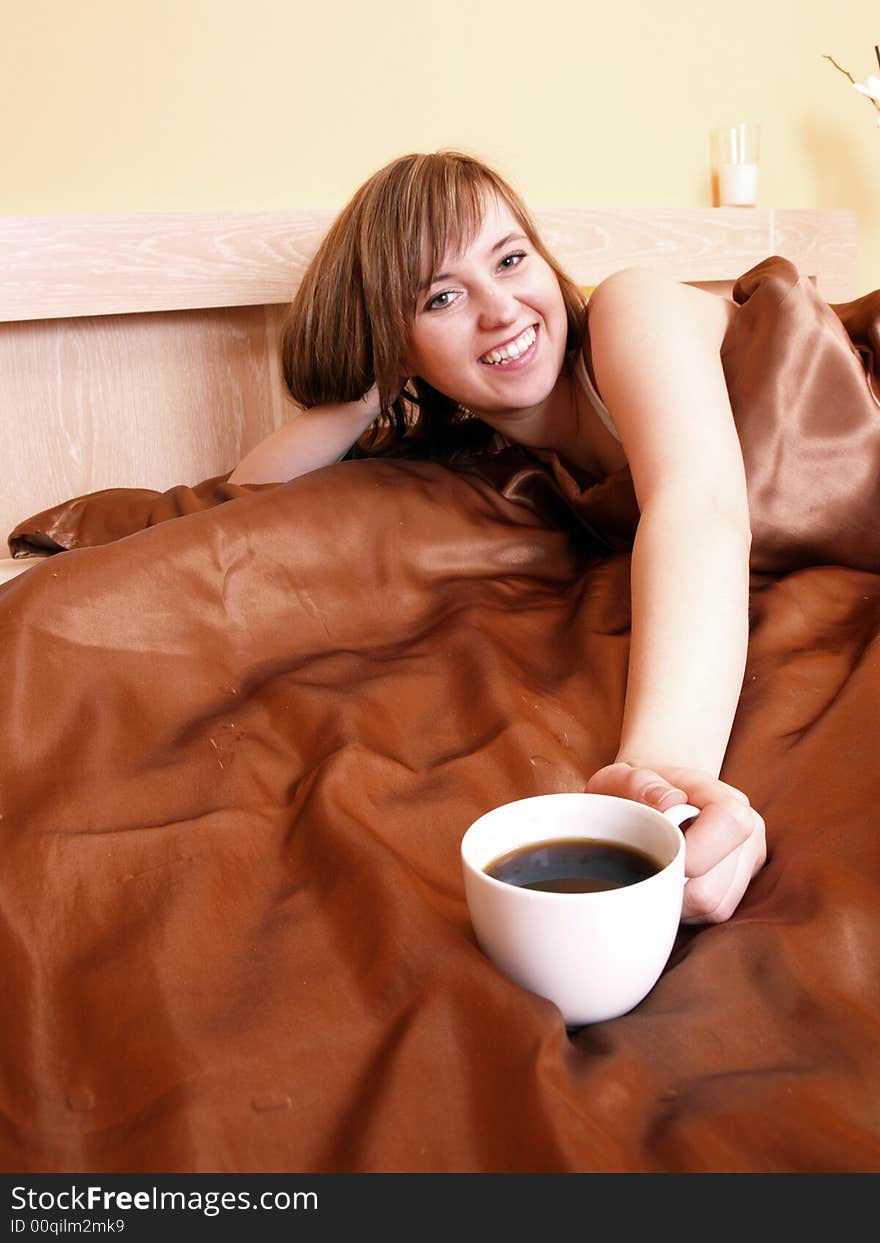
[63, 267]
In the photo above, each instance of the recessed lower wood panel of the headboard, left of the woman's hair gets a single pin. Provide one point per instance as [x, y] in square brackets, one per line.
[144, 401]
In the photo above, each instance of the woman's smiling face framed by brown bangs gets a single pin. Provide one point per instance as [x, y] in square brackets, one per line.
[490, 326]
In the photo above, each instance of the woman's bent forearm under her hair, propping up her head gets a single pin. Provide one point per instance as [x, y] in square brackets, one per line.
[313, 439]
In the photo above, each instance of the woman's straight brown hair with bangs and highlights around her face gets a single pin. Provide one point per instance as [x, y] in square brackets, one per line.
[349, 324]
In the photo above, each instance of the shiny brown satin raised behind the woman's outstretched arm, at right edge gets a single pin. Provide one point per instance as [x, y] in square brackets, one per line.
[807, 418]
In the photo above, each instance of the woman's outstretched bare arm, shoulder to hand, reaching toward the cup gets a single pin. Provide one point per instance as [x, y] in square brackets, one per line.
[690, 566]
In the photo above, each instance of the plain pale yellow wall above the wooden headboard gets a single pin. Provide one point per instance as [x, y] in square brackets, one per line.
[178, 105]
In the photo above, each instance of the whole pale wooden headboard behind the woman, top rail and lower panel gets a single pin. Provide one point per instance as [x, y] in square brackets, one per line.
[140, 351]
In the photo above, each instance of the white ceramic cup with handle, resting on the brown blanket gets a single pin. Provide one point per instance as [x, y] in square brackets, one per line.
[595, 955]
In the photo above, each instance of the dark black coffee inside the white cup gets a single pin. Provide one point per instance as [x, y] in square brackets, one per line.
[574, 866]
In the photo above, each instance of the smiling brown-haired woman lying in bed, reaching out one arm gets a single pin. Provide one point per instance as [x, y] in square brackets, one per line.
[434, 279]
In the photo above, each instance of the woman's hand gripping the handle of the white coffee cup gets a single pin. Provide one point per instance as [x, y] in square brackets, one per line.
[725, 845]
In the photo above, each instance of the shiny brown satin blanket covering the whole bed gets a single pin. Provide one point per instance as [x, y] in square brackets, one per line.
[241, 749]
